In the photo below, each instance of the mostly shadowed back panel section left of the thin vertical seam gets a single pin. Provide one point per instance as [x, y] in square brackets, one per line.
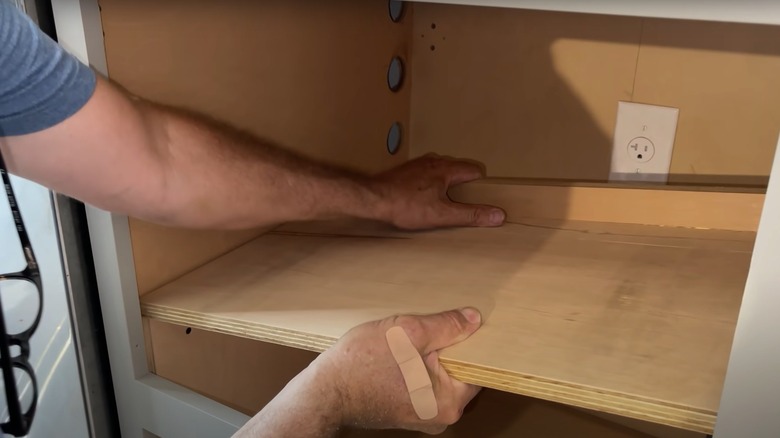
[494, 89]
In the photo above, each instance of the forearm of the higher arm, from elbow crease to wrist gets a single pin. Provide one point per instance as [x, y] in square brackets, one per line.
[216, 176]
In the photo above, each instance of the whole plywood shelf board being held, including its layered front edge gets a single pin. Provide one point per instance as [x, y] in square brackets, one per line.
[628, 319]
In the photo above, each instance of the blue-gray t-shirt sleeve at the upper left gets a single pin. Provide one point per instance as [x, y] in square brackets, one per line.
[40, 83]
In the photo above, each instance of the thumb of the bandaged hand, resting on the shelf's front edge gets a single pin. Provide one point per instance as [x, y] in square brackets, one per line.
[448, 328]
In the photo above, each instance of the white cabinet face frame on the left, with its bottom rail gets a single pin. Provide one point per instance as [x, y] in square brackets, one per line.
[145, 402]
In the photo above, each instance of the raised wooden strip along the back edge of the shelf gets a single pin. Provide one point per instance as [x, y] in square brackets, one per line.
[735, 211]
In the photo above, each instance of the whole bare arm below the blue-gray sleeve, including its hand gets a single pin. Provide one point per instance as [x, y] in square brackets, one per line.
[133, 157]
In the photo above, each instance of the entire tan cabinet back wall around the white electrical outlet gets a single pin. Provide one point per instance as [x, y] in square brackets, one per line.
[534, 94]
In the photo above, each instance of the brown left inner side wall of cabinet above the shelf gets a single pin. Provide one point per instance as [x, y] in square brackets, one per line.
[305, 74]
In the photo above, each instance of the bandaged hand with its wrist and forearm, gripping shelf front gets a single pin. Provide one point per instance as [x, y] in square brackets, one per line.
[357, 382]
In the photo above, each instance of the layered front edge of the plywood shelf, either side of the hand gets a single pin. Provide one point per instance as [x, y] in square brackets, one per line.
[699, 420]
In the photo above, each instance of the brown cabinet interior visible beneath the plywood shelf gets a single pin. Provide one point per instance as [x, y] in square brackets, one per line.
[246, 374]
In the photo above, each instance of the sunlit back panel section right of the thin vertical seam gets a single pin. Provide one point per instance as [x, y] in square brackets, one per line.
[724, 79]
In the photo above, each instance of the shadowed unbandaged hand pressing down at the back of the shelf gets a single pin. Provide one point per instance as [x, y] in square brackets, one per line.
[414, 195]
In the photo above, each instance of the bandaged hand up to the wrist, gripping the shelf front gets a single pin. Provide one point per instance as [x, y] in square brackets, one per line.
[370, 383]
